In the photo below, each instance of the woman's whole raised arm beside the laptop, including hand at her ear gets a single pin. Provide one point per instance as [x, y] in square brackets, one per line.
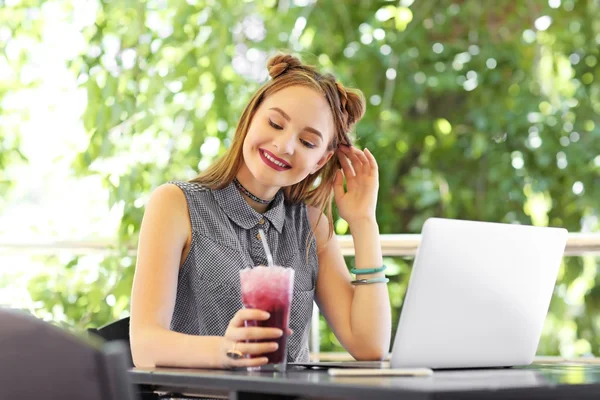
[360, 316]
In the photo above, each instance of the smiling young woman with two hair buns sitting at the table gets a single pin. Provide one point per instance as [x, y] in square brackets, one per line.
[280, 175]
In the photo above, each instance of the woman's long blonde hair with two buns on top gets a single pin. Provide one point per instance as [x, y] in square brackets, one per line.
[347, 107]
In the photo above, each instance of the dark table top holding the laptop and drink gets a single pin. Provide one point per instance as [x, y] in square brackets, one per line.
[537, 381]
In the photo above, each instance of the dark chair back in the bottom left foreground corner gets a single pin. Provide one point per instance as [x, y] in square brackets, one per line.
[40, 360]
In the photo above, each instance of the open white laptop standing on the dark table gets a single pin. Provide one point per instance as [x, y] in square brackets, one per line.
[477, 297]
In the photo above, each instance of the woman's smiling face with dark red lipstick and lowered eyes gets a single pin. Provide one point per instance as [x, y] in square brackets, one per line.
[288, 137]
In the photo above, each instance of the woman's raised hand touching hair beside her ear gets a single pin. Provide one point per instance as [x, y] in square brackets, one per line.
[359, 200]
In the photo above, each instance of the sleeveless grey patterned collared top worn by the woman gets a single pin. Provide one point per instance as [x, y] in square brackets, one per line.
[224, 240]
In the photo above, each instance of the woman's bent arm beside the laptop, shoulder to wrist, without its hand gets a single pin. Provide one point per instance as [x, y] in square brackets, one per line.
[360, 316]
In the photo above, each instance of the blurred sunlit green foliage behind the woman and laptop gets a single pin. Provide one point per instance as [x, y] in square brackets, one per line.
[476, 110]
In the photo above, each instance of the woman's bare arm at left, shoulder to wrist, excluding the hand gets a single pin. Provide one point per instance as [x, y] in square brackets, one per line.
[164, 235]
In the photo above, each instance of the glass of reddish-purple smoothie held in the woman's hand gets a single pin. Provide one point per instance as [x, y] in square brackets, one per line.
[270, 289]
